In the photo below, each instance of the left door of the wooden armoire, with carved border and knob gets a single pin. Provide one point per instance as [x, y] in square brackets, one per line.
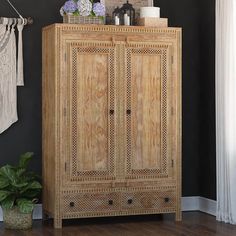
[89, 104]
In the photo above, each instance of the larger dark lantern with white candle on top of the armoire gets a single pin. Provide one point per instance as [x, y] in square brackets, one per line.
[127, 14]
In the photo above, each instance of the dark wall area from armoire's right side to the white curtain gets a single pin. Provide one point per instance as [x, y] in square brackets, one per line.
[197, 18]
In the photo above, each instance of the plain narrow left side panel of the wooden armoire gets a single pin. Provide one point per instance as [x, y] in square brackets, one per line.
[49, 135]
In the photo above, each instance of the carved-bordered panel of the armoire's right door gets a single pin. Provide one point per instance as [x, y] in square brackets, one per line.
[148, 120]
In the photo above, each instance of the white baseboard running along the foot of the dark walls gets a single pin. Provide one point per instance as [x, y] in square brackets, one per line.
[188, 204]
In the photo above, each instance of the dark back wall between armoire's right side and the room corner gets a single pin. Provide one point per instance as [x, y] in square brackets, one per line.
[185, 14]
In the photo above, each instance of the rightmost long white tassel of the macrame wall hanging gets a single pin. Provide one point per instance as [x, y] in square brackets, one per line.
[20, 67]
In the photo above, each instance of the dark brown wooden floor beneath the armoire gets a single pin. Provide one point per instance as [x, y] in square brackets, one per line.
[193, 224]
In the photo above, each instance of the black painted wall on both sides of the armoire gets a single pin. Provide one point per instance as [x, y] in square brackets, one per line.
[198, 88]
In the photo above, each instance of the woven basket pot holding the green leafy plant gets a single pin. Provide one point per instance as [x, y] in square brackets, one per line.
[14, 219]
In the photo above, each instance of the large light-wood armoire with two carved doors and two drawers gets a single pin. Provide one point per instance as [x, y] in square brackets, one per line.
[111, 121]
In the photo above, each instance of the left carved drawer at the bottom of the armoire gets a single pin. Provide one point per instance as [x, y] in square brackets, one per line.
[91, 202]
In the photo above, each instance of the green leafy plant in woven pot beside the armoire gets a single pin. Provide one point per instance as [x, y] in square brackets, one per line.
[19, 189]
